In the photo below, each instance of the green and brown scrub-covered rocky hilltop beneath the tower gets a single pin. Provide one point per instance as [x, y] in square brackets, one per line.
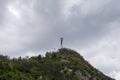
[64, 64]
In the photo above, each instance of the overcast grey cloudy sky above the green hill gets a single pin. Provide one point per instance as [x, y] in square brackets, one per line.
[91, 27]
